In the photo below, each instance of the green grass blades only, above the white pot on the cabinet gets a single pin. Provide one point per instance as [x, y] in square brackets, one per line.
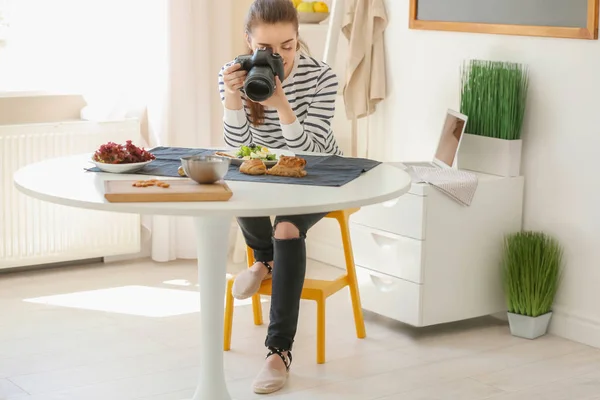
[493, 96]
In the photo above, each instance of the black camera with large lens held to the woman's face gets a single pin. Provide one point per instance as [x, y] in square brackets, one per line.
[262, 67]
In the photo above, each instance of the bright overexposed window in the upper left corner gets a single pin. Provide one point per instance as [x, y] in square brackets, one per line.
[80, 45]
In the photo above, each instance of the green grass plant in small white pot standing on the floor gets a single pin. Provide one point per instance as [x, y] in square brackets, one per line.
[532, 269]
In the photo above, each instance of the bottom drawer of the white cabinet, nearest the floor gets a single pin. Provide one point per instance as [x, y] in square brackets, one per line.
[391, 297]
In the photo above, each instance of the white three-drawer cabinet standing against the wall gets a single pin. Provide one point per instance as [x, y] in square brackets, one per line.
[425, 259]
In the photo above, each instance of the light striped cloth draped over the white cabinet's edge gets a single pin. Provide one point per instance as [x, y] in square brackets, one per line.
[458, 185]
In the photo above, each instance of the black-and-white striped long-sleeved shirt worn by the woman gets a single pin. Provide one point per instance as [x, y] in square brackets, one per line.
[311, 90]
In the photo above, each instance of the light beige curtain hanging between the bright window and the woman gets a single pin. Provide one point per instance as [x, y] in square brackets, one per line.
[187, 110]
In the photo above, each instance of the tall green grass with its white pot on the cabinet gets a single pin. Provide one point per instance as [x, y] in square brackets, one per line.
[493, 96]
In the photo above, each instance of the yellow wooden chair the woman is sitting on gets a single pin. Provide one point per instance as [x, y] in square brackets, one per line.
[314, 289]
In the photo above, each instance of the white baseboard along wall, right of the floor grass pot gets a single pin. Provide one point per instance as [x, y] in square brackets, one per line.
[575, 327]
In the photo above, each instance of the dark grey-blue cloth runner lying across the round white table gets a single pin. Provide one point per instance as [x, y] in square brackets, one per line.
[332, 171]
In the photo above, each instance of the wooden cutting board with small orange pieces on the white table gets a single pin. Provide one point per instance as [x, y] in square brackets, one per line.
[179, 190]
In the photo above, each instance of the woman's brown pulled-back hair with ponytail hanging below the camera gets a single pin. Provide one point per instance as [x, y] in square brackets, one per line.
[270, 12]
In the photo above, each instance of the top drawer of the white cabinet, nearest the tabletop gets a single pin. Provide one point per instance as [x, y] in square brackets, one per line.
[402, 216]
